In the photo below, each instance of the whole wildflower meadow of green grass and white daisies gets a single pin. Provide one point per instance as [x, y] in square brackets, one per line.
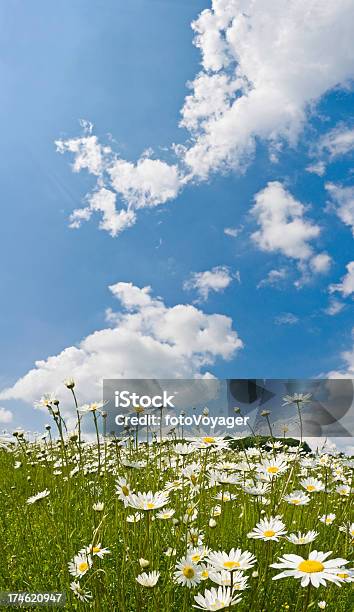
[175, 525]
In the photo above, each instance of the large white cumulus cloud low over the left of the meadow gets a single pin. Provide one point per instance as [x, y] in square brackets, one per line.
[147, 340]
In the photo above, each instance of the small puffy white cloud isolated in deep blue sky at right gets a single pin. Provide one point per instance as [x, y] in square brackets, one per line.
[283, 227]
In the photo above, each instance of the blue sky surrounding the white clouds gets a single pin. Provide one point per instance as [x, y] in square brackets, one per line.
[124, 67]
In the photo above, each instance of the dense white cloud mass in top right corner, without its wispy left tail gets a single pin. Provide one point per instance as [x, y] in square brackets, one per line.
[270, 61]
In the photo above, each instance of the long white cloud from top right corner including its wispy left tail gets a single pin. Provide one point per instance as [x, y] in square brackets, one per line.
[263, 67]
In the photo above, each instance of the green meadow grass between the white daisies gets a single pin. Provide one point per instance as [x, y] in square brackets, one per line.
[39, 540]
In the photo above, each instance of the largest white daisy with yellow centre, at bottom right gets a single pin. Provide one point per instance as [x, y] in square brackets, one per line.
[315, 570]
